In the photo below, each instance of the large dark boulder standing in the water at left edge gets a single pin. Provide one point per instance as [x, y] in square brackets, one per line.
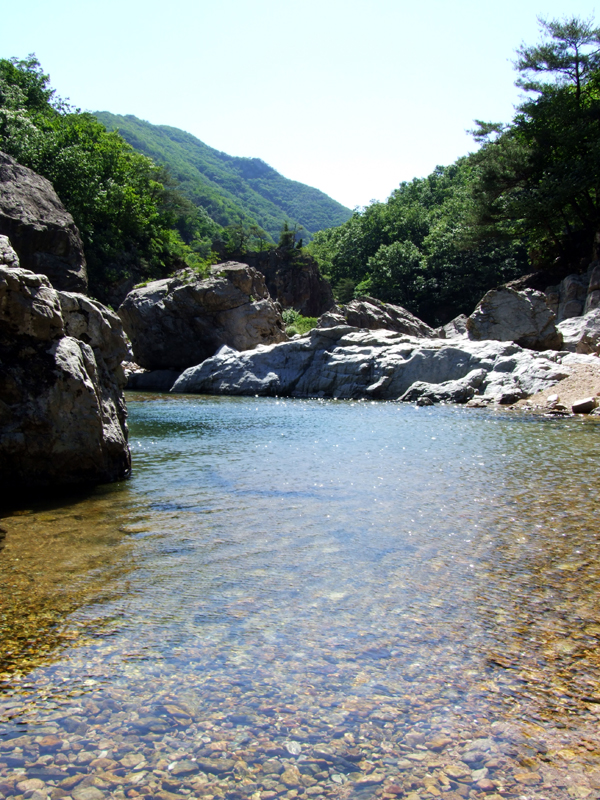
[62, 412]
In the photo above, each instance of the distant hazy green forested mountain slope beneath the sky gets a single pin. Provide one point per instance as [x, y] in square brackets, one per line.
[231, 189]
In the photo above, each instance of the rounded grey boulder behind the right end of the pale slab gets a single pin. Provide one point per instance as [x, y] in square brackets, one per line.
[509, 316]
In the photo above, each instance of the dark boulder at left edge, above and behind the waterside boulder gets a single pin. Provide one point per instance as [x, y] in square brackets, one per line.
[39, 227]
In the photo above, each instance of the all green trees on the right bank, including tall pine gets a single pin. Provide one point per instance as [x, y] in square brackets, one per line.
[528, 199]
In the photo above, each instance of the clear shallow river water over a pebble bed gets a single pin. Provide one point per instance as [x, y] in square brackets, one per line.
[306, 599]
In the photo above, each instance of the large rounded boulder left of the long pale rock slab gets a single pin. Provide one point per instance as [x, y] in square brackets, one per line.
[178, 322]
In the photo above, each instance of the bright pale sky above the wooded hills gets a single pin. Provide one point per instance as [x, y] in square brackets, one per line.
[350, 96]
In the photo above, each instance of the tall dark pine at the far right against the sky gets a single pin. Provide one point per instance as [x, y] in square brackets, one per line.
[539, 177]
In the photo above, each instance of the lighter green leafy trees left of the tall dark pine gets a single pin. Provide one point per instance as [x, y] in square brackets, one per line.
[418, 249]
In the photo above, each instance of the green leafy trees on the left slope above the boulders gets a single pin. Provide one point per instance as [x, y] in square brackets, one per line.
[131, 218]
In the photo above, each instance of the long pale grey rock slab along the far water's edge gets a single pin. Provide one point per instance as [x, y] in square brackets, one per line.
[347, 363]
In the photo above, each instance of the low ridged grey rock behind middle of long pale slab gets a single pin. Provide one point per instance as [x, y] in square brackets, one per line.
[372, 314]
